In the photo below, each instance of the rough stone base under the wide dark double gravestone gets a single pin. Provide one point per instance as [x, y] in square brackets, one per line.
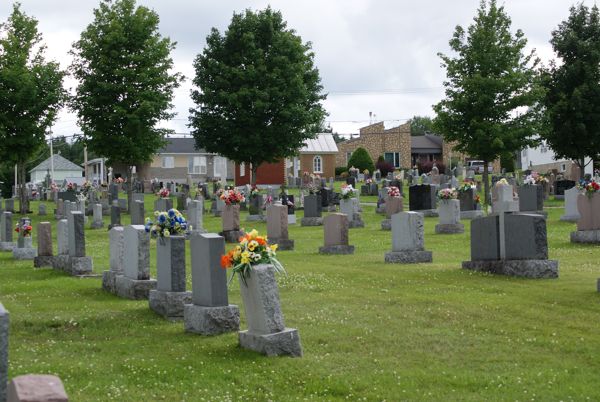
[520, 268]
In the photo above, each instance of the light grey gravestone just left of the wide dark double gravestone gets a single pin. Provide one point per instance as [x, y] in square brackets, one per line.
[408, 244]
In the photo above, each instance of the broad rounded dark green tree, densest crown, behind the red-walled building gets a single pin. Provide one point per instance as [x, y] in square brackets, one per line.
[259, 92]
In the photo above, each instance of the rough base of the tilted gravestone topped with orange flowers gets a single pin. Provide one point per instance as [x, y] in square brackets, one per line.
[286, 342]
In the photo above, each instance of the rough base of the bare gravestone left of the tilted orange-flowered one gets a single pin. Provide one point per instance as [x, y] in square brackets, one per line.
[211, 320]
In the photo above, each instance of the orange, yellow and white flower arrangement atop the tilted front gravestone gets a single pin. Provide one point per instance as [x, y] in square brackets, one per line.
[251, 250]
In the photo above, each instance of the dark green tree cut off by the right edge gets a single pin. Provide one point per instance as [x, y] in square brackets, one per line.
[573, 88]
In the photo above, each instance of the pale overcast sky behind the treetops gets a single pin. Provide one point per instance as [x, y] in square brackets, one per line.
[376, 56]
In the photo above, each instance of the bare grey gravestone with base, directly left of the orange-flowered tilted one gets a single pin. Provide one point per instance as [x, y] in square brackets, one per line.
[209, 312]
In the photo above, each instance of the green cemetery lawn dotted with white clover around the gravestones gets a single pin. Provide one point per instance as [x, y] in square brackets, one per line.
[370, 331]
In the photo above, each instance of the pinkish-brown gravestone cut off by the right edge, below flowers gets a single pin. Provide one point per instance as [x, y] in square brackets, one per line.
[588, 225]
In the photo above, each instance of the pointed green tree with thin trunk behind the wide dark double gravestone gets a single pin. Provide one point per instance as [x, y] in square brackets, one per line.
[492, 89]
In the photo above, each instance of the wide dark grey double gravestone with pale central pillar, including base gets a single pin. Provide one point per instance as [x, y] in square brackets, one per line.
[513, 244]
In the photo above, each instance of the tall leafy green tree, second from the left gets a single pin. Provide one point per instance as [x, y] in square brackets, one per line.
[125, 87]
